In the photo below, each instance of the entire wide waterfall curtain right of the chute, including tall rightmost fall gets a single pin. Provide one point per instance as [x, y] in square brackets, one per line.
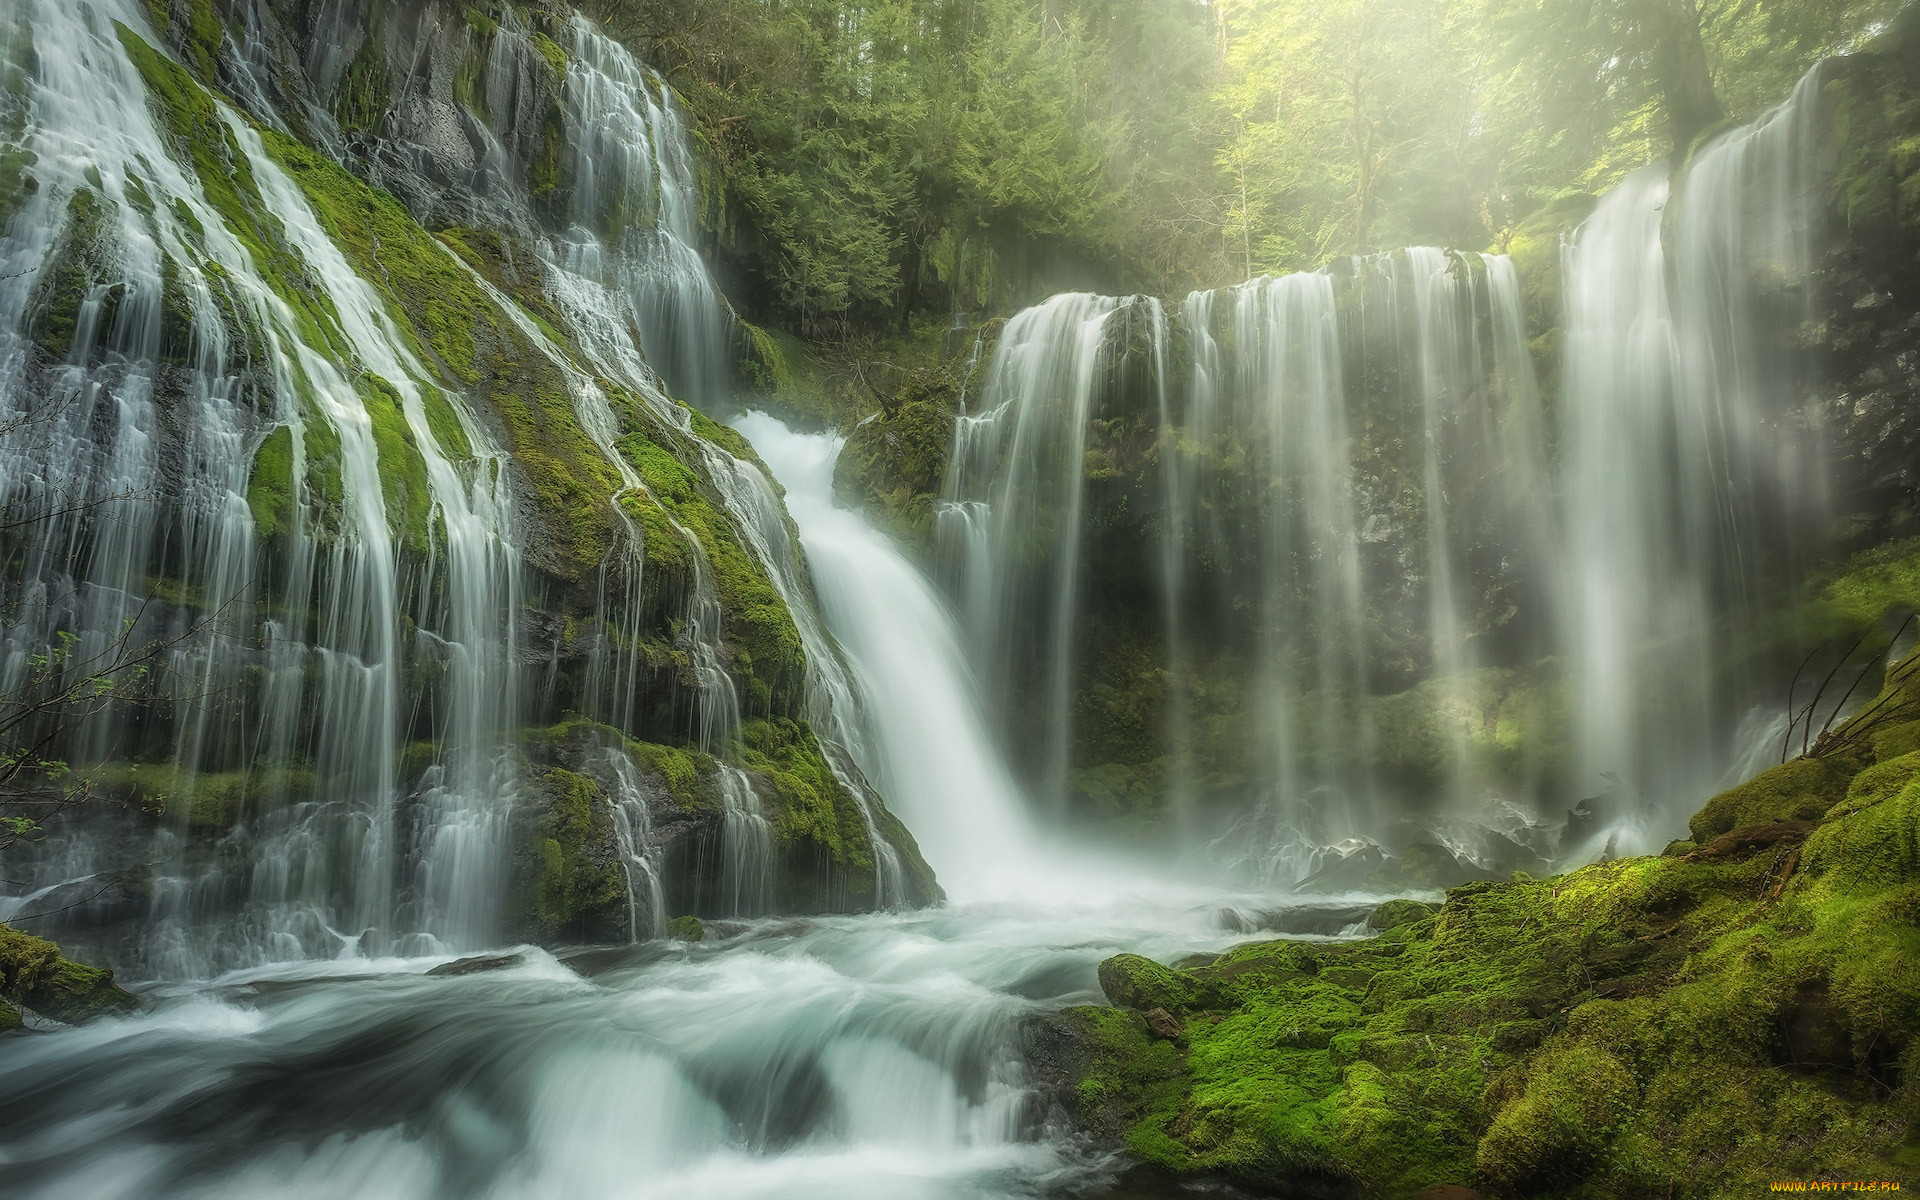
[1362, 504]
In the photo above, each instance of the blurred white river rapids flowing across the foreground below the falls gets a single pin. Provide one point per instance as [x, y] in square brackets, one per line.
[855, 1057]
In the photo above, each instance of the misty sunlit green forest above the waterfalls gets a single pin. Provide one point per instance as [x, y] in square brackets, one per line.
[1168, 147]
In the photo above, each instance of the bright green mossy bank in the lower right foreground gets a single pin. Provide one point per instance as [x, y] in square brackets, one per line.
[1612, 1032]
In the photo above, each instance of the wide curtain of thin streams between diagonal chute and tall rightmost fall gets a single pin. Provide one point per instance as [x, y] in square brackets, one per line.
[1282, 416]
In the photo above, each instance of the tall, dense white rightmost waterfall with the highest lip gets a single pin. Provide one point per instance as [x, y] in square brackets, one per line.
[1694, 464]
